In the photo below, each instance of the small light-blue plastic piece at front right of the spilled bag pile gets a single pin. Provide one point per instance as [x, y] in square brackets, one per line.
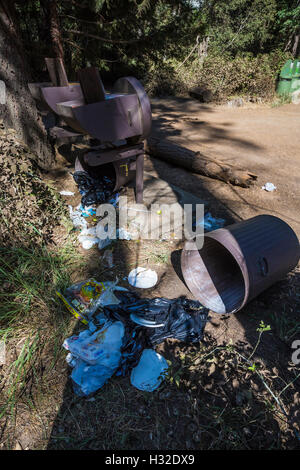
[150, 371]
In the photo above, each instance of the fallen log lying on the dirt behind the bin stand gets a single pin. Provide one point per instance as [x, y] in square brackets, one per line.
[196, 162]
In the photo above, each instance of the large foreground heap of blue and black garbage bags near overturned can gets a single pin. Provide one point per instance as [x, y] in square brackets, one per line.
[116, 340]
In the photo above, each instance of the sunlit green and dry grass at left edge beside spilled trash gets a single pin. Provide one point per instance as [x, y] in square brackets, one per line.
[32, 320]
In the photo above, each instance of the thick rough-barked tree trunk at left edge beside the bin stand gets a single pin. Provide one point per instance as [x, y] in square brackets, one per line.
[19, 110]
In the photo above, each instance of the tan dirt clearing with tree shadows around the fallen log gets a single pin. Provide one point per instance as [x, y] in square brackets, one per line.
[264, 140]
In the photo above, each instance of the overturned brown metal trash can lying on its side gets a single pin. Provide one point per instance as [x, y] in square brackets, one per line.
[238, 262]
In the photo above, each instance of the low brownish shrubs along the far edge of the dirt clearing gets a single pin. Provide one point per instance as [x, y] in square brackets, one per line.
[222, 75]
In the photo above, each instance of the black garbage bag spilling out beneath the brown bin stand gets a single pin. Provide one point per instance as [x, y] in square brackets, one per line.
[94, 190]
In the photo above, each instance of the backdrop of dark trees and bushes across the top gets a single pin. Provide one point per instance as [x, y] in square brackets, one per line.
[150, 39]
